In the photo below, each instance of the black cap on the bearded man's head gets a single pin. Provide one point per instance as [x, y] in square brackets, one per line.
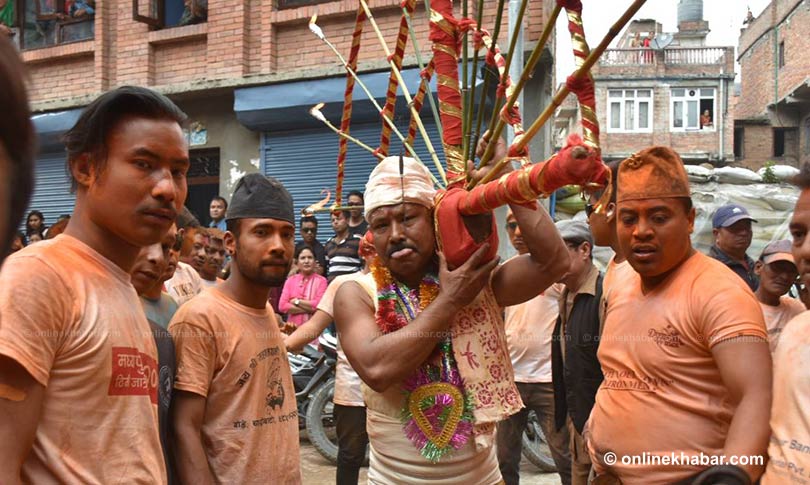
[260, 197]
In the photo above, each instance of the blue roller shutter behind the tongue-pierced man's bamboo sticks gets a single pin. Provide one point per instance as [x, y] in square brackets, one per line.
[305, 161]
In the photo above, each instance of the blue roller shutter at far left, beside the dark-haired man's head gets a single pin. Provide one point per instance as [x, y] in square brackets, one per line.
[52, 194]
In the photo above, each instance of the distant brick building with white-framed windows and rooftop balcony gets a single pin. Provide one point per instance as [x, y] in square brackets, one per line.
[657, 88]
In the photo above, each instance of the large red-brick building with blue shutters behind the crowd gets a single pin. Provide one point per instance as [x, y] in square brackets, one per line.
[246, 73]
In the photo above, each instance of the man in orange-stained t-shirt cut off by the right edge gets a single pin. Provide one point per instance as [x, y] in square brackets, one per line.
[790, 414]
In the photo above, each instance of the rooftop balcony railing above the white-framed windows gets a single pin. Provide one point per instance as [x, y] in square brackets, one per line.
[670, 56]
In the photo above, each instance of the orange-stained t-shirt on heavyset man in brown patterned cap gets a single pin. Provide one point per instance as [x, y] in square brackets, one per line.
[662, 391]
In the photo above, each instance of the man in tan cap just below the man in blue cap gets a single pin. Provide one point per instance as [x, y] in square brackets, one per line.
[777, 272]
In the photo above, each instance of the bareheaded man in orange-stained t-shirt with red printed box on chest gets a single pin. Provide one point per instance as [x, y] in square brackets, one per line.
[77, 358]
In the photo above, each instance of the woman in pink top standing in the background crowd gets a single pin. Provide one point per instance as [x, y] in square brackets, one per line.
[302, 291]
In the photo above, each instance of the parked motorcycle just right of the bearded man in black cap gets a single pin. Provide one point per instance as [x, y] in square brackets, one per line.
[313, 374]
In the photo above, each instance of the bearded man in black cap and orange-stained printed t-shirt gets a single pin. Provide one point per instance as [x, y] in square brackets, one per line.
[235, 414]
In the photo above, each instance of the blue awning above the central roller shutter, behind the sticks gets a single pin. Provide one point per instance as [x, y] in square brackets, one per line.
[285, 106]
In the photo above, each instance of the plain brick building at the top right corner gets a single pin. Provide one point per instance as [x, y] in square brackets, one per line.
[772, 118]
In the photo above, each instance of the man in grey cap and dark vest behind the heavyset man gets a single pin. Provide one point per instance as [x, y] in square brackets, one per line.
[575, 369]
